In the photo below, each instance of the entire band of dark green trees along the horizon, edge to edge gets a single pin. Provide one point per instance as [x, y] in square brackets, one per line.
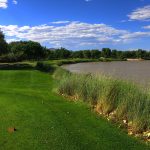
[30, 50]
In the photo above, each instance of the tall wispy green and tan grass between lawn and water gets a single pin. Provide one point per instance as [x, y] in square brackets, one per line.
[121, 101]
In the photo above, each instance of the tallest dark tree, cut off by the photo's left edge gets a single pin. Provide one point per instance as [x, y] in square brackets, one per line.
[3, 44]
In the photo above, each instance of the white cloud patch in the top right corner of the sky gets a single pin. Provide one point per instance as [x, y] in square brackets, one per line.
[141, 14]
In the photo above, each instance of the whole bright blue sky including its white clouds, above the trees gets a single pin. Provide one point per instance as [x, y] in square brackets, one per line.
[78, 24]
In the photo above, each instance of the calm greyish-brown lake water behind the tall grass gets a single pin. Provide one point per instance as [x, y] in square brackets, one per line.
[138, 71]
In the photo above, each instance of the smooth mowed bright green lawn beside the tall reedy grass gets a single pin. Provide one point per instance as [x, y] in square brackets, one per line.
[46, 121]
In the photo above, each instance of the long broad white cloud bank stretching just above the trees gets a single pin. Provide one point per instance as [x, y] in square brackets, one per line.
[73, 34]
